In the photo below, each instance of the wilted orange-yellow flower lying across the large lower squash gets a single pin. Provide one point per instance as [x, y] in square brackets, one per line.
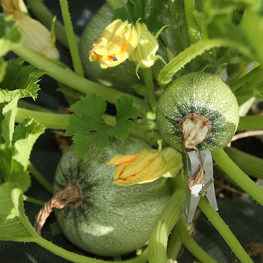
[146, 166]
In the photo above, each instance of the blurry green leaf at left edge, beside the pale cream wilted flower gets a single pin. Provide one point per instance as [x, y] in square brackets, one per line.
[10, 37]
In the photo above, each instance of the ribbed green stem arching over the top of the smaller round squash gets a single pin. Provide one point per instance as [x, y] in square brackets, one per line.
[190, 53]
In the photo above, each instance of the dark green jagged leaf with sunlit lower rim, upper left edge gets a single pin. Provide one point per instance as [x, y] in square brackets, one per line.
[19, 81]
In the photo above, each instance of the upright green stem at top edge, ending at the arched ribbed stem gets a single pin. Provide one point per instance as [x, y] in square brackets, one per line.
[193, 30]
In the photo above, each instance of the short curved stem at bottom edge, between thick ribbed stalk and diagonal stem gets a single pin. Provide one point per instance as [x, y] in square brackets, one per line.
[190, 243]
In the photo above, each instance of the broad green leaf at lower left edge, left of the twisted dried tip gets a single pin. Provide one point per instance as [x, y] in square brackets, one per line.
[14, 224]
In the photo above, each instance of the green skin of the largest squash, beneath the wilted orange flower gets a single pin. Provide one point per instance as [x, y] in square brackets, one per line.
[112, 220]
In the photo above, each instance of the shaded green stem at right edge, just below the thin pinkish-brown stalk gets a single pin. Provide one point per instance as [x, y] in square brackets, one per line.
[250, 164]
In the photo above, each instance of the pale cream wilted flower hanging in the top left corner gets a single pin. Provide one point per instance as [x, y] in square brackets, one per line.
[35, 35]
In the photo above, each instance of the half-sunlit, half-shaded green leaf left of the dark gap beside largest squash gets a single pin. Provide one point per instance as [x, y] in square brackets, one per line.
[25, 136]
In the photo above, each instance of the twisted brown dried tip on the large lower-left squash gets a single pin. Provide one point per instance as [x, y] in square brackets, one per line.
[71, 195]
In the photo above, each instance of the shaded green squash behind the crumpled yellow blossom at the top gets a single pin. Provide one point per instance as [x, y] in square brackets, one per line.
[120, 77]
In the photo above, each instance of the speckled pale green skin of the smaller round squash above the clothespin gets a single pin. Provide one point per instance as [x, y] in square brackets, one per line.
[204, 94]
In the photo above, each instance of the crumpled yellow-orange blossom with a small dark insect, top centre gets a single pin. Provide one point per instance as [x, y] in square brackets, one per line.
[116, 43]
